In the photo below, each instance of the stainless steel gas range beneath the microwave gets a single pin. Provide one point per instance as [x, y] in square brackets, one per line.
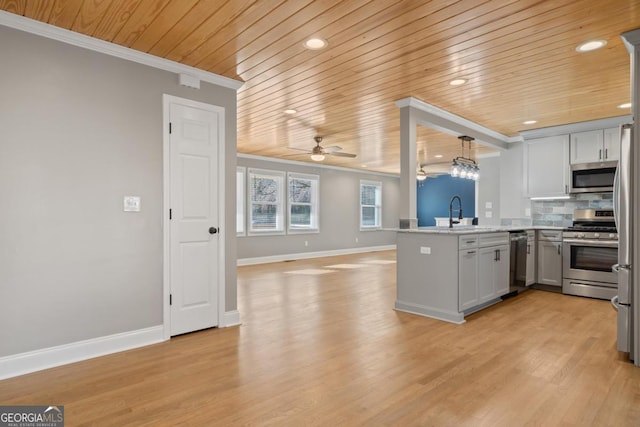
[589, 250]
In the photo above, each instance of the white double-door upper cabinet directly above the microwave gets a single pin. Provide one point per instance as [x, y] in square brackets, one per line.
[595, 146]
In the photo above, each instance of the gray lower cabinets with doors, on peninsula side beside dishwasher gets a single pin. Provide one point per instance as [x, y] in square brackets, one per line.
[483, 271]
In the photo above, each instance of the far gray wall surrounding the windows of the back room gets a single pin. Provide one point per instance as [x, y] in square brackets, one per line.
[339, 213]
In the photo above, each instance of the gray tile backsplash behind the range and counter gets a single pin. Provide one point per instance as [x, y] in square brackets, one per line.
[559, 213]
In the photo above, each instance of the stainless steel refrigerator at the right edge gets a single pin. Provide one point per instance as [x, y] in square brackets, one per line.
[622, 206]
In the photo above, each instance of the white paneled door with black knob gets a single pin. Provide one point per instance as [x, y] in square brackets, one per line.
[195, 136]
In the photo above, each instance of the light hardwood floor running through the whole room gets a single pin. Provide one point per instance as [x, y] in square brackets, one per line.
[328, 349]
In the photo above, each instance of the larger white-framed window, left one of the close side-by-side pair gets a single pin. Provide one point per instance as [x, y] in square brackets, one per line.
[266, 190]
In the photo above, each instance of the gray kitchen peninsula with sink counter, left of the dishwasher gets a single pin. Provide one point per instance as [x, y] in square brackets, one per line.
[448, 273]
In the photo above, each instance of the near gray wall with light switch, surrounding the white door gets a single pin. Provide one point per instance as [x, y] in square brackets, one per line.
[80, 130]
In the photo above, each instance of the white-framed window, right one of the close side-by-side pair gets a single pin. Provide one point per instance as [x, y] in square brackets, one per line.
[303, 202]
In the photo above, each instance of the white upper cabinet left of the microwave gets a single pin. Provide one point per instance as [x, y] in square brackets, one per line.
[547, 166]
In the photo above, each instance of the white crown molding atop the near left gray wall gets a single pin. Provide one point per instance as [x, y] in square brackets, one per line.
[76, 39]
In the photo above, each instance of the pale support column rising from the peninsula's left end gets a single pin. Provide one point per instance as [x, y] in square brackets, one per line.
[408, 156]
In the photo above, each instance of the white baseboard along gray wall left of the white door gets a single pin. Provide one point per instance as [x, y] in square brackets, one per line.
[25, 363]
